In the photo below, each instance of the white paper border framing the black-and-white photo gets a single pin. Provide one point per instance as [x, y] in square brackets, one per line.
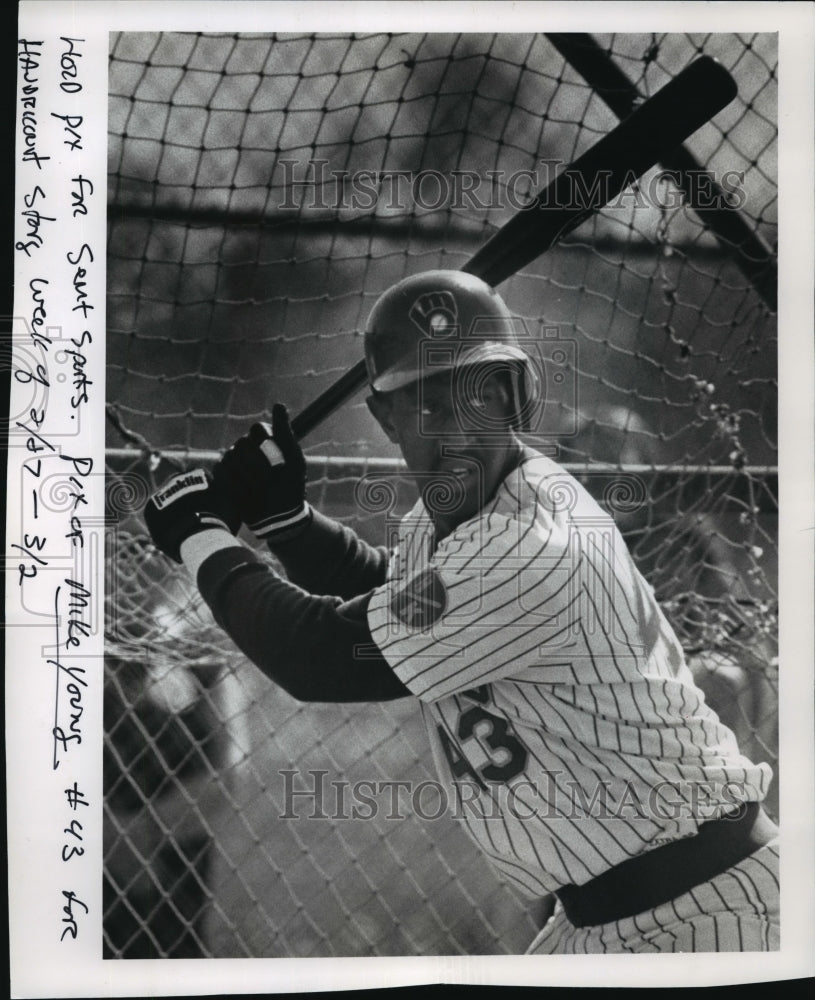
[43, 967]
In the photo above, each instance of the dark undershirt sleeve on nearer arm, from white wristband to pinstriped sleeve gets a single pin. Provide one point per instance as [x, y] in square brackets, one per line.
[315, 648]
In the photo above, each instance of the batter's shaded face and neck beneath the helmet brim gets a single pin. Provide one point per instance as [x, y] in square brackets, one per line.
[454, 431]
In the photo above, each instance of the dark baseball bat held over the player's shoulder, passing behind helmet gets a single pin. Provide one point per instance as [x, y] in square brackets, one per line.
[639, 142]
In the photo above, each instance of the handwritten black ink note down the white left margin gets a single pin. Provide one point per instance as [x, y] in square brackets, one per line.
[56, 461]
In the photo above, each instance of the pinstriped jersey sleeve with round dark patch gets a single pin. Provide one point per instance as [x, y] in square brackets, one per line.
[494, 600]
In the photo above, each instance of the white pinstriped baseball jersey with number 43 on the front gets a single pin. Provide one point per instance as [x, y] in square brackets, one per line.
[566, 727]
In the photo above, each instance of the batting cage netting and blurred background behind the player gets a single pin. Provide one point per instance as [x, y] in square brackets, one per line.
[264, 190]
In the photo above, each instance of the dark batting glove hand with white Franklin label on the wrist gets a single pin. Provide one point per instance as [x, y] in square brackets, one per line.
[186, 504]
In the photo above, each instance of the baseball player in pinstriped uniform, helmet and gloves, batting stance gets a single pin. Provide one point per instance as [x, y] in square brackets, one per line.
[564, 722]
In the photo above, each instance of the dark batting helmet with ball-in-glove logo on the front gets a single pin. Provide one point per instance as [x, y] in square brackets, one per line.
[437, 321]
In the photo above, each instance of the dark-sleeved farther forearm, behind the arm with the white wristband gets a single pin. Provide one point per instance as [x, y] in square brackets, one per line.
[328, 558]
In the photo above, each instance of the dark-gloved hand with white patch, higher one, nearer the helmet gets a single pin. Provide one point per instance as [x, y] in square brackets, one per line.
[264, 475]
